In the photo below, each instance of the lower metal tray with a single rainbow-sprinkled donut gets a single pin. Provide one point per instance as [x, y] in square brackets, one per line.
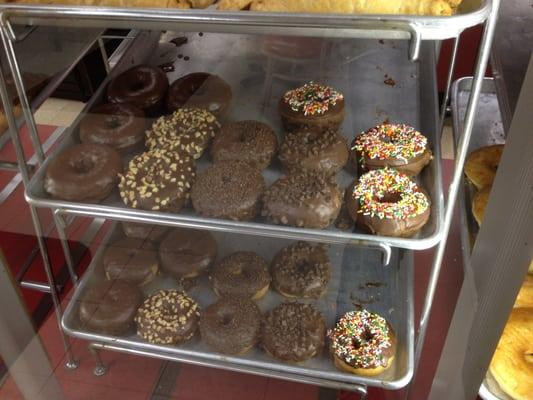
[357, 279]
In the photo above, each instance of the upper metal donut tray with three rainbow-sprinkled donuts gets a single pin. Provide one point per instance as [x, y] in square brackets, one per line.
[258, 80]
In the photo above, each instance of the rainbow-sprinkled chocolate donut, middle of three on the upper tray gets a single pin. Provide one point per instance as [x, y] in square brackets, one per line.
[400, 147]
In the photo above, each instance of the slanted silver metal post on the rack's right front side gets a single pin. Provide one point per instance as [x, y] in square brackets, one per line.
[481, 67]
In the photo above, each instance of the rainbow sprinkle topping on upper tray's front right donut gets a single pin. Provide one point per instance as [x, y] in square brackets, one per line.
[375, 185]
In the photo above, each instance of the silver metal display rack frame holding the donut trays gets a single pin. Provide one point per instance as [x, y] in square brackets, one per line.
[421, 34]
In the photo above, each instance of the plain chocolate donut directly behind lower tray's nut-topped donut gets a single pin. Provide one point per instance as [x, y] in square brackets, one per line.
[186, 253]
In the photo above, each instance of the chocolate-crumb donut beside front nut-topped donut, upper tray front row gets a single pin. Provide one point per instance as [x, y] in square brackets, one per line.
[228, 189]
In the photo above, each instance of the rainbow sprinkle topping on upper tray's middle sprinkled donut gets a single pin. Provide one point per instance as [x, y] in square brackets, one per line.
[389, 141]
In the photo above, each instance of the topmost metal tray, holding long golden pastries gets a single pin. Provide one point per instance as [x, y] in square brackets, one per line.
[470, 13]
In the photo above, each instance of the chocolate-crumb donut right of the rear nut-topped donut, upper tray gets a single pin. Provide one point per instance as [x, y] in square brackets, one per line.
[250, 141]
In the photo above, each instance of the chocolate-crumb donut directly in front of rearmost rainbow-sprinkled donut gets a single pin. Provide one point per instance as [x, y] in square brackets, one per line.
[325, 152]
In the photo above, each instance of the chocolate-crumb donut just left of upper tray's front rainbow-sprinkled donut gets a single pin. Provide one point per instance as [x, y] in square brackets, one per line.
[303, 199]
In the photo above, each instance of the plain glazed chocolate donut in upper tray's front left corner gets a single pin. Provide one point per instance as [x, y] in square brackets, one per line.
[83, 172]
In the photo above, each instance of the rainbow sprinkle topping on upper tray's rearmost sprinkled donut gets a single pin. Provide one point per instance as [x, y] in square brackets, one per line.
[312, 98]
